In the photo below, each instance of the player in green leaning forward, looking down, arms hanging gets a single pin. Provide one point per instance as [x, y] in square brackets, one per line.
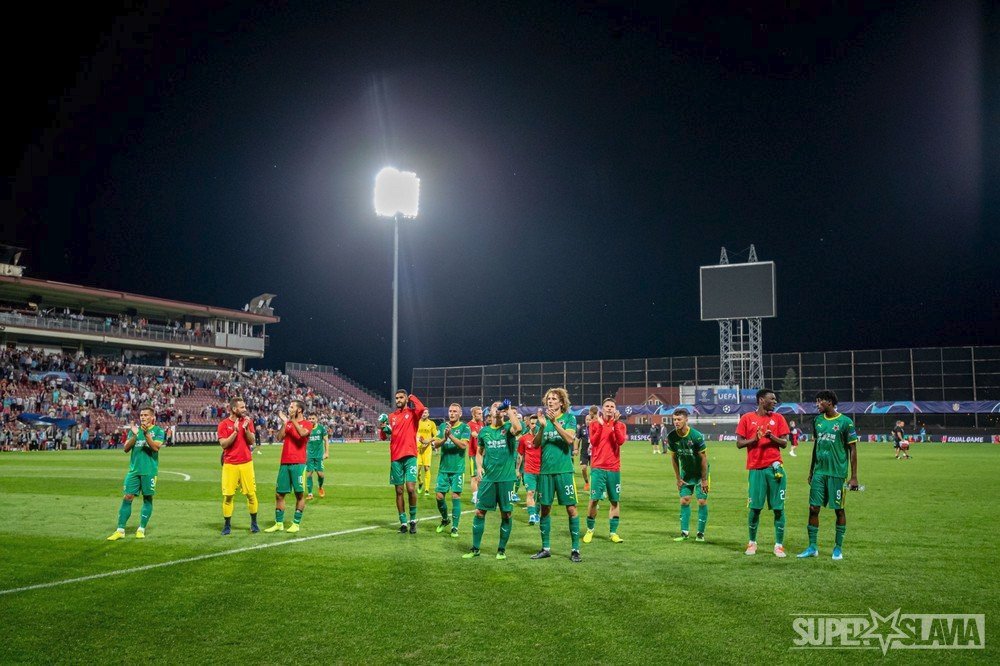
[689, 457]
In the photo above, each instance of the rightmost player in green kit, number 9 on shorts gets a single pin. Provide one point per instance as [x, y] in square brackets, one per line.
[834, 446]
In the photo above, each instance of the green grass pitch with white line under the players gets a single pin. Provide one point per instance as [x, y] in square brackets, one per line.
[919, 539]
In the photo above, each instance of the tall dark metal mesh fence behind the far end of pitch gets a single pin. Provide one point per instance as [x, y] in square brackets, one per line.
[935, 373]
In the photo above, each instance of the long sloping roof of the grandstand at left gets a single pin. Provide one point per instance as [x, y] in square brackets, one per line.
[60, 294]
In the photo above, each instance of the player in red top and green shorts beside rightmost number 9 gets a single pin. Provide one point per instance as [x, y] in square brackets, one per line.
[763, 434]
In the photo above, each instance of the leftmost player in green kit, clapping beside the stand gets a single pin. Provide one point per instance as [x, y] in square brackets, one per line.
[143, 443]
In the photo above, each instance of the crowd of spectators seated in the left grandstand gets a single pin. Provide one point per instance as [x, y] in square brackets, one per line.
[102, 396]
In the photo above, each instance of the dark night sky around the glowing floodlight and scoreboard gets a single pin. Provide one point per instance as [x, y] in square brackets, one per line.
[577, 164]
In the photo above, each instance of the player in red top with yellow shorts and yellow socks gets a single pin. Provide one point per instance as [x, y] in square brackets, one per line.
[237, 437]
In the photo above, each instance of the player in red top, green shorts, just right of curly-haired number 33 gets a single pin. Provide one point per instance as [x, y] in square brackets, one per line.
[607, 434]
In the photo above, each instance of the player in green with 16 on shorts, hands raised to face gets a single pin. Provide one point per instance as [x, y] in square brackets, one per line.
[496, 466]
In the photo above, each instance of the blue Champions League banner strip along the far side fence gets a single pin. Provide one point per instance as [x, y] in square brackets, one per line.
[714, 409]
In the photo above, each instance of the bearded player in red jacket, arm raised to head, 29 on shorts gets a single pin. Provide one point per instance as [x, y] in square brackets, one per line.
[403, 425]
